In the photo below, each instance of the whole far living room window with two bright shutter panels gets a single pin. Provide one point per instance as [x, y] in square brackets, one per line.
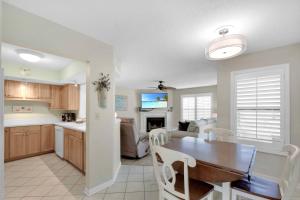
[196, 107]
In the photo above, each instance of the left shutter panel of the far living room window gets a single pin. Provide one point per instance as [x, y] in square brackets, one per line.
[188, 108]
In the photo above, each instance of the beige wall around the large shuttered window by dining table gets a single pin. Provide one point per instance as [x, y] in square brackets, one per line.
[268, 164]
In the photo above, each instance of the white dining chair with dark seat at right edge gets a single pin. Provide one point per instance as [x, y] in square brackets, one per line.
[262, 189]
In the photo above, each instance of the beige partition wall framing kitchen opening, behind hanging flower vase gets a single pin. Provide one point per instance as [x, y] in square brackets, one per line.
[24, 29]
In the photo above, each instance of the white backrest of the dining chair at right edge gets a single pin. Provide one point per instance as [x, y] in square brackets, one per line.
[291, 172]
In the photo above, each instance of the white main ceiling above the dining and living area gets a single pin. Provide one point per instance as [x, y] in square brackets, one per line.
[165, 40]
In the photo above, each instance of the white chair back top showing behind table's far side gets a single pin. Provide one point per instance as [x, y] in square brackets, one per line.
[220, 134]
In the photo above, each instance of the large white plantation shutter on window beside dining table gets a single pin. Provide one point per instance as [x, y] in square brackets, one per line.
[258, 107]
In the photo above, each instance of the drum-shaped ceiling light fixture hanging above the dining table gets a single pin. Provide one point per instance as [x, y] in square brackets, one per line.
[227, 46]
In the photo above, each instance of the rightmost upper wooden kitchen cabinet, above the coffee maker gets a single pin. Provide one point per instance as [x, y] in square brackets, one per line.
[70, 97]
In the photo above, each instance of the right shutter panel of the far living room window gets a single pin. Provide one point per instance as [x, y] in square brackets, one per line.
[204, 107]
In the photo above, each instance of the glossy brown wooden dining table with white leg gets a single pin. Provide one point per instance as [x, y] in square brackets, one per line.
[217, 162]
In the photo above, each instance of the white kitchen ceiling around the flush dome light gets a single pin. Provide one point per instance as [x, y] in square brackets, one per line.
[49, 61]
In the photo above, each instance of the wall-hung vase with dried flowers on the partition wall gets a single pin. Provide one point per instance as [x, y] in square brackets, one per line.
[102, 86]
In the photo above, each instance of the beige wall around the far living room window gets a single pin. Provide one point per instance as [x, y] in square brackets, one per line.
[187, 91]
